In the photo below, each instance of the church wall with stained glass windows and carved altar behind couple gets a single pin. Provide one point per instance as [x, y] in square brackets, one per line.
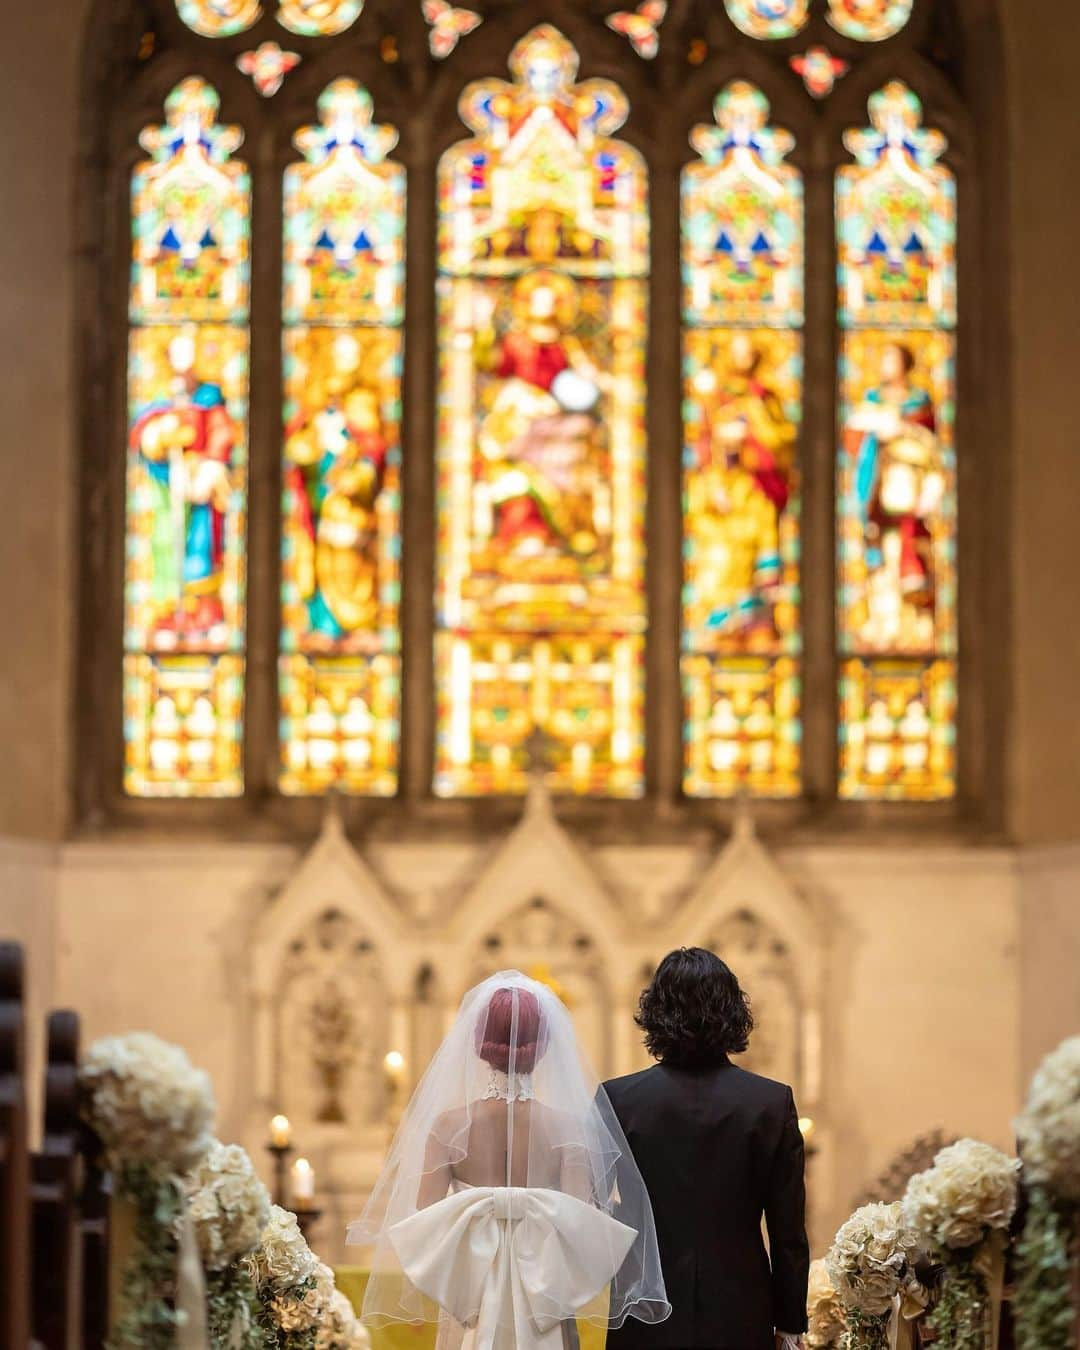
[537, 484]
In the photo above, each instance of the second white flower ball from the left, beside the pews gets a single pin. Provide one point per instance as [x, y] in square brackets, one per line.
[227, 1204]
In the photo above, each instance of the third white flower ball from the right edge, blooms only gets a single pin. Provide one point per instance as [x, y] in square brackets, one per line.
[873, 1260]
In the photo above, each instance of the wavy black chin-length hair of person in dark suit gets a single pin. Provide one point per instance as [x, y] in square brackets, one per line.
[695, 1013]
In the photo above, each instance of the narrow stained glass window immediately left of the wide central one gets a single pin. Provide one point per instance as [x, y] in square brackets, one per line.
[345, 292]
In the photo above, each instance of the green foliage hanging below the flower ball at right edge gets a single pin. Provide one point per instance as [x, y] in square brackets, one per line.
[1043, 1307]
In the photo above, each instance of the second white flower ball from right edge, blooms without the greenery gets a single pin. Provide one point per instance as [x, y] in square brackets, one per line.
[969, 1194]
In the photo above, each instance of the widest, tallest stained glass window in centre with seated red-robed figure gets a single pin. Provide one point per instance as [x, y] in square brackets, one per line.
[543, 256]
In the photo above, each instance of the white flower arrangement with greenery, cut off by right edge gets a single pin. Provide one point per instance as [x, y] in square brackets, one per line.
[1047, 1255]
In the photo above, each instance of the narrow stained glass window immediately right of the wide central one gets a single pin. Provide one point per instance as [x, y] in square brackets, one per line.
[743, 314]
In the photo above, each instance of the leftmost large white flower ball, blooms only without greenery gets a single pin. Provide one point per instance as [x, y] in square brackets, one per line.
[148, 1105]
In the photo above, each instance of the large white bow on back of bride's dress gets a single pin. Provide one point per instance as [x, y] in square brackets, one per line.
[512, 1262]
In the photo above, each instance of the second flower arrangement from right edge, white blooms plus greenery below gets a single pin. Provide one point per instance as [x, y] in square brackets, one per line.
[963, 1206]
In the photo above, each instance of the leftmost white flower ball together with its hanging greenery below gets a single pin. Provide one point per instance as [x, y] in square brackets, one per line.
[153, 1113]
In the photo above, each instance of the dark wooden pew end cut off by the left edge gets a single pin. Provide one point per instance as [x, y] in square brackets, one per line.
[14, 1156]
